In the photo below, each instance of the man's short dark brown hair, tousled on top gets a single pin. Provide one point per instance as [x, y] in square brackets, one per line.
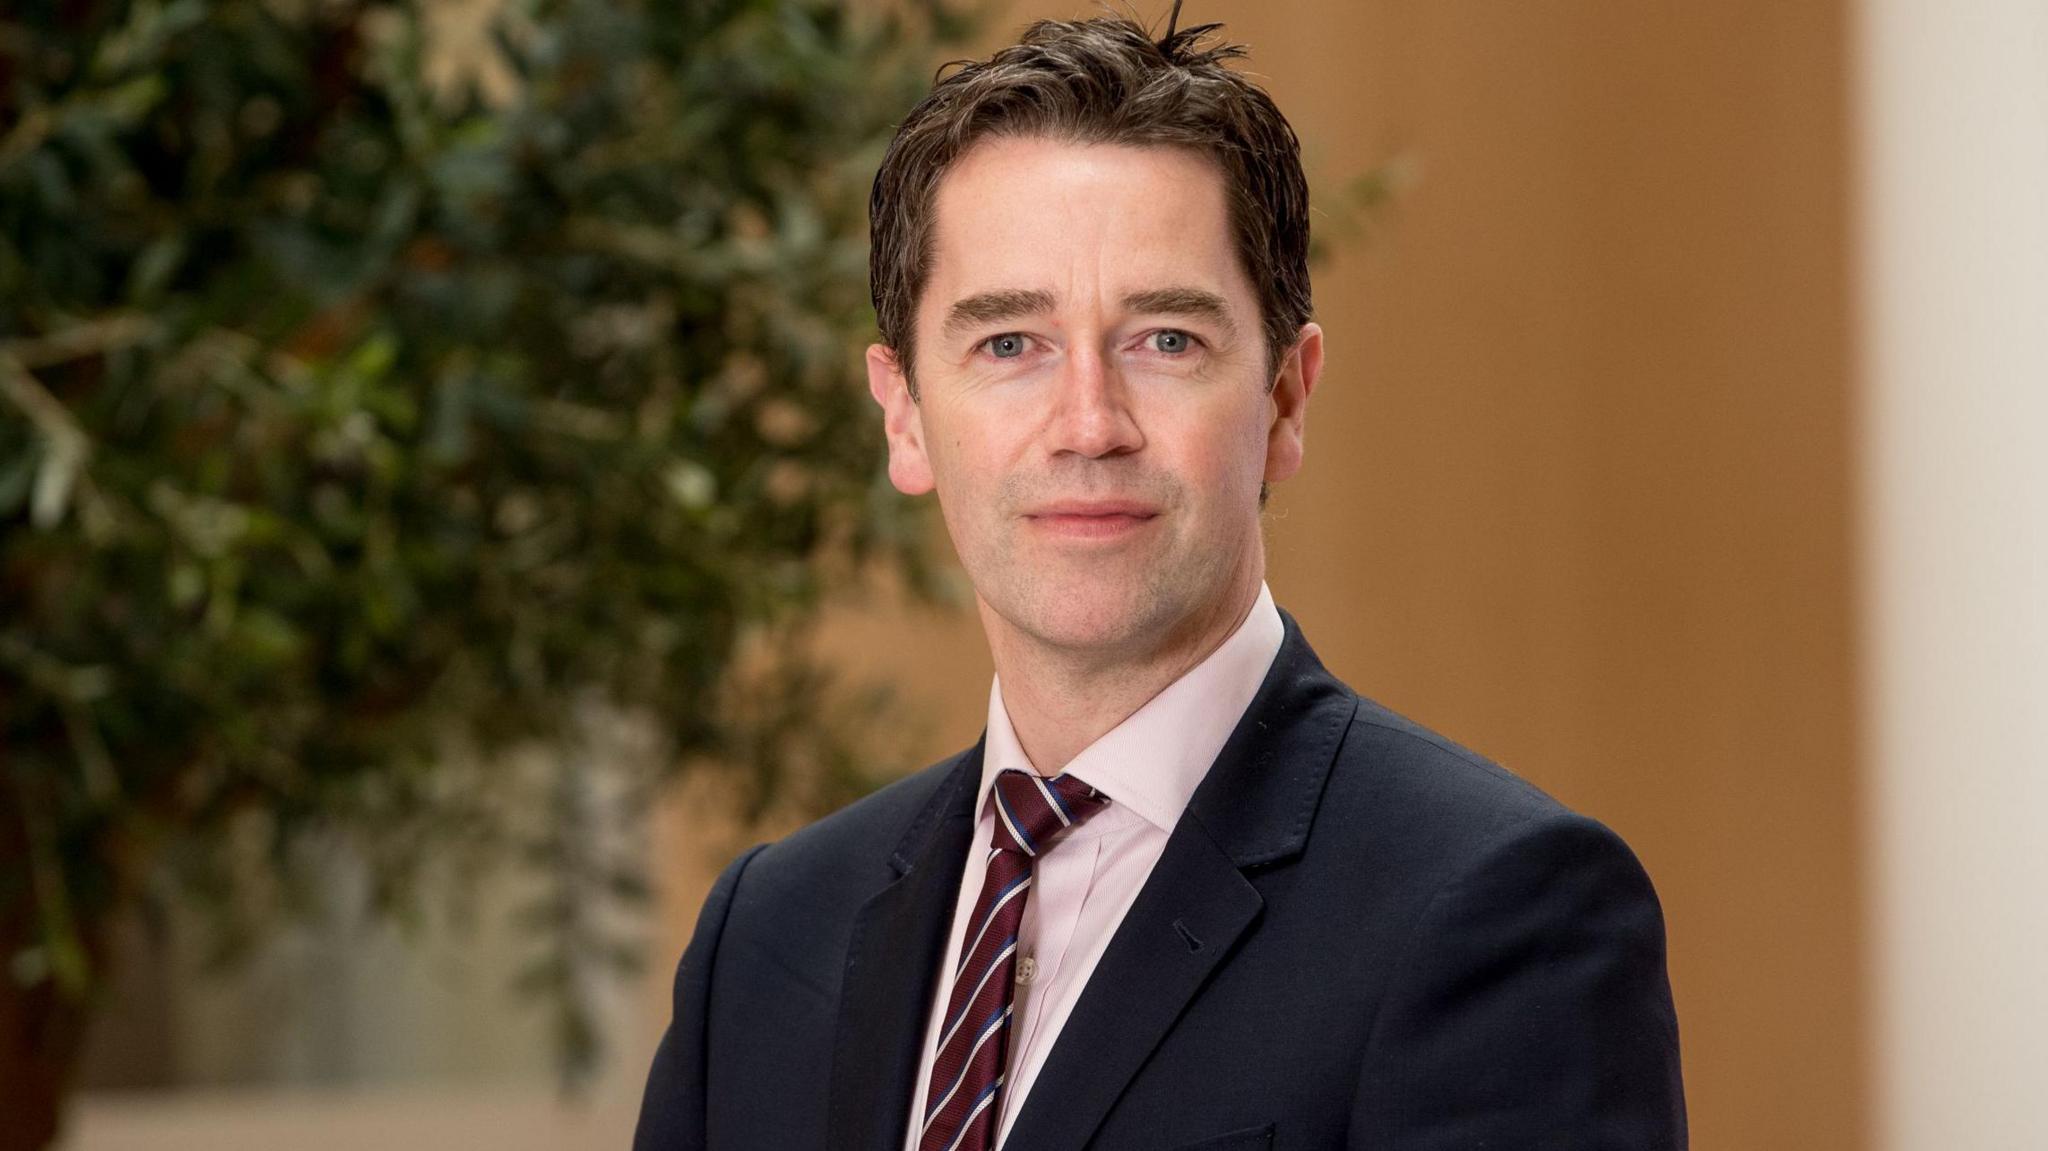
[1103, 81]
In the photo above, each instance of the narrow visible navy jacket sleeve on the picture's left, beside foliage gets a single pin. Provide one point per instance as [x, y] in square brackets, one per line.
[673, 1111]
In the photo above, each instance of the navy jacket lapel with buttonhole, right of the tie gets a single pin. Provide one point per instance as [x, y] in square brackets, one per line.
[1254, 808]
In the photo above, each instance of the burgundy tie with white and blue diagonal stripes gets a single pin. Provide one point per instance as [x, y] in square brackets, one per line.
[974, 1048]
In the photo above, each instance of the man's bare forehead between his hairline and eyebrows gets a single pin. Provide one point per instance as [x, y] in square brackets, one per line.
[1080, 218]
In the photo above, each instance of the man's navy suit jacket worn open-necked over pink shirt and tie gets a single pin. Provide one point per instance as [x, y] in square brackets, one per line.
[1361, 935]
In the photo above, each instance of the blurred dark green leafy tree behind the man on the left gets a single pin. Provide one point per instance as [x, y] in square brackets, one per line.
[359, 433]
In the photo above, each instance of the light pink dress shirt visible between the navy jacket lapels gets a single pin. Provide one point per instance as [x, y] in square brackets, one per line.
[1150, 767]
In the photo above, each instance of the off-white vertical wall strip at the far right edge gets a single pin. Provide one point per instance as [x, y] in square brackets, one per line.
[1955, 259]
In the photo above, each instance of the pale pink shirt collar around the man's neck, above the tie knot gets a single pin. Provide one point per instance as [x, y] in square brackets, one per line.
[1156, 759]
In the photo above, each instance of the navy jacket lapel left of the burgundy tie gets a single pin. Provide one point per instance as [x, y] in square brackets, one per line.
[892, 962]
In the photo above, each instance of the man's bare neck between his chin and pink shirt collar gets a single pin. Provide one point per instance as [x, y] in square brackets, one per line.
[1060, 701]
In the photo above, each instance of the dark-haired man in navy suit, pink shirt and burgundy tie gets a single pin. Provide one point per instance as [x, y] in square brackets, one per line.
[1189, 890]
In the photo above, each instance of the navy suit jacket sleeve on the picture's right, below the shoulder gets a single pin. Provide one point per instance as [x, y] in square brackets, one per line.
[1531, 1007]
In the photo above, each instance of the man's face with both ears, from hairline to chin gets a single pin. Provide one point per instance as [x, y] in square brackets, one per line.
[1095, 402]
